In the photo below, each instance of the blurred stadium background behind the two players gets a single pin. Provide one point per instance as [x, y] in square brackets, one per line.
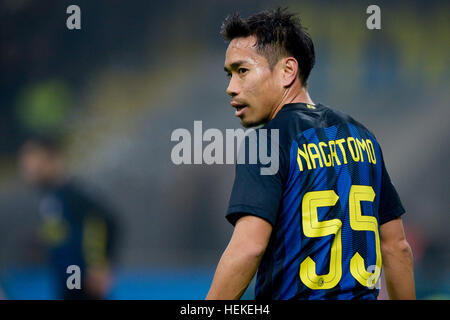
[116, 89]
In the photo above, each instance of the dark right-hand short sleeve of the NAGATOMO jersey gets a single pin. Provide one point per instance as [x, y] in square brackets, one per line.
[390, 204]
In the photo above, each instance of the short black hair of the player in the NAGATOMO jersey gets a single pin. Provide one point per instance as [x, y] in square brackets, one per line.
[279, 34]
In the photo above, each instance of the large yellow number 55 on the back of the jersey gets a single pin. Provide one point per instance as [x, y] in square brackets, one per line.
[314, 228]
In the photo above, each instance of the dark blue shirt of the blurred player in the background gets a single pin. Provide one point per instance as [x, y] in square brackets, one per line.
[78, 231]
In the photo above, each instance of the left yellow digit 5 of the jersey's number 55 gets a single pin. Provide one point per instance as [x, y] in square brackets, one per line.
[312, 227]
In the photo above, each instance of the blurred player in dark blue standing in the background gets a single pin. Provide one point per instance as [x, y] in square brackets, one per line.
[77, 230]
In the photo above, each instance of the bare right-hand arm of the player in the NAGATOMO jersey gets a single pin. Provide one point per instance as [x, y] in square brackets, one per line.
[398, 262]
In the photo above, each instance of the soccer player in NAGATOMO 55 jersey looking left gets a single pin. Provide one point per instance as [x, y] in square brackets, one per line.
[324, 225]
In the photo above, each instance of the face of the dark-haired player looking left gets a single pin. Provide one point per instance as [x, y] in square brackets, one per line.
[254, 88]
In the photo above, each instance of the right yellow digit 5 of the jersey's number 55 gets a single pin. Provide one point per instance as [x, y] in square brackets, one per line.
[363, 223]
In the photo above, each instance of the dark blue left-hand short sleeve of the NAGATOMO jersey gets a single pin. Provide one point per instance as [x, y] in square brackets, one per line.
[255, 193]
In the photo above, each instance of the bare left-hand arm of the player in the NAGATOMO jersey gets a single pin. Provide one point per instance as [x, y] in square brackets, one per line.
[241, 258]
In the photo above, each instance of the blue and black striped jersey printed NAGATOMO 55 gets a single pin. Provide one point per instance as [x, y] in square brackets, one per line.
[325, 203]
